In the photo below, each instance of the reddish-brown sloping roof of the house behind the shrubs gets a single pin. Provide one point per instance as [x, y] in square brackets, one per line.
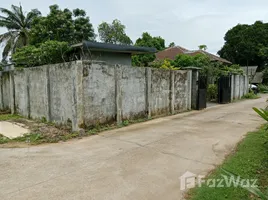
[172, 52]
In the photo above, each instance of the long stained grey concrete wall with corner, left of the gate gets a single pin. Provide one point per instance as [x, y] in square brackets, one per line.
[89, 93]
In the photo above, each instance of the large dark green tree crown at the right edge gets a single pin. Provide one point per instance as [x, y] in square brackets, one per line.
[246, 44]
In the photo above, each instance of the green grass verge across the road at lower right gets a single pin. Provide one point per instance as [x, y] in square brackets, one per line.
[250, 161]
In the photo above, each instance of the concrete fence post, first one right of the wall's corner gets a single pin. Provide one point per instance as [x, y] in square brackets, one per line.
[118, 93]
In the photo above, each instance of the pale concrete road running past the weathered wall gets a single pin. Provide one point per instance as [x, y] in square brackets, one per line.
[142, 161]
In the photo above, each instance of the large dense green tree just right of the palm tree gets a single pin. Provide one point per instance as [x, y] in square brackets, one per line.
[62, 25]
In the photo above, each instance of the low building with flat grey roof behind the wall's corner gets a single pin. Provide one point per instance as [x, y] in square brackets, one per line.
[110, 53]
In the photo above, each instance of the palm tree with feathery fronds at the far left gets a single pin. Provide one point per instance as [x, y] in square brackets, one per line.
[18, 24]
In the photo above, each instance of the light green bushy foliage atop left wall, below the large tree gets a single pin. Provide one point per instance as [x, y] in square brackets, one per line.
[49, 52]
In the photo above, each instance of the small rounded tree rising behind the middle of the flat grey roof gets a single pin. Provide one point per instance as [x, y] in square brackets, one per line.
[113, 33]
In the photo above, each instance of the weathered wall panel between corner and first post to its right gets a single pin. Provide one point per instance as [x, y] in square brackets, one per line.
[99, 93]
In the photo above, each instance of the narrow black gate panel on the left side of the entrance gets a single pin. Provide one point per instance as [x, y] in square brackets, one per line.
[202, 93]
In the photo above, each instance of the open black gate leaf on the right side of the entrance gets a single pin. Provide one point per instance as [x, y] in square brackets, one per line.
[224, 89]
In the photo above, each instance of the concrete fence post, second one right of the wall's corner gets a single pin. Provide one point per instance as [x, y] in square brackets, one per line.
[148, 80]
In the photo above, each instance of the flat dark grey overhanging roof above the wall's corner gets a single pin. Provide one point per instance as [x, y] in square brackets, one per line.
[97, 46]
